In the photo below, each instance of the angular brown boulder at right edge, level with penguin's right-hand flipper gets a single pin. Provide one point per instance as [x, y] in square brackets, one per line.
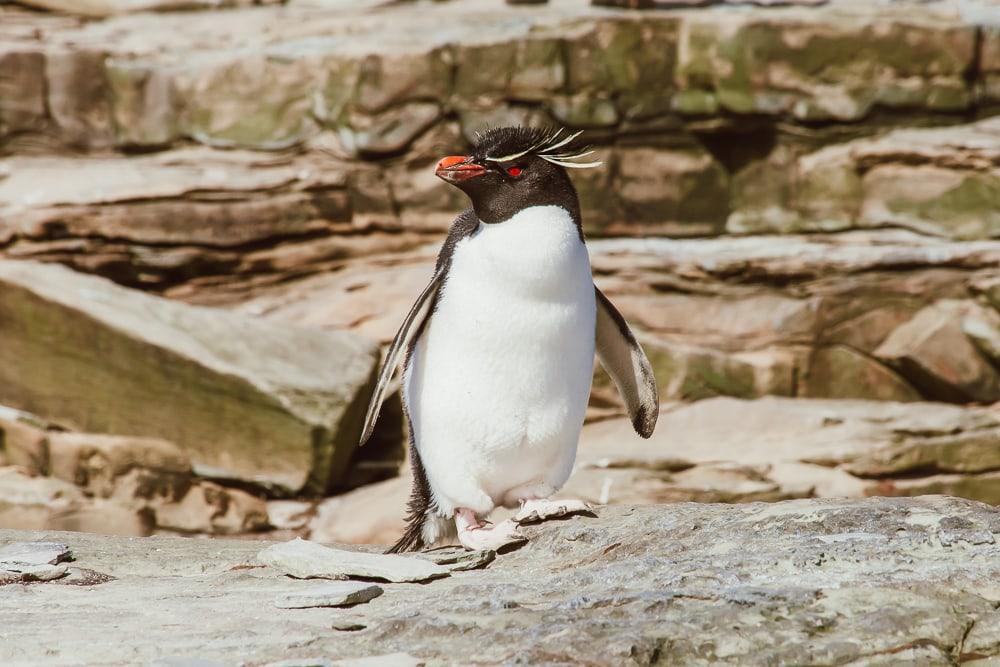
[934, 353]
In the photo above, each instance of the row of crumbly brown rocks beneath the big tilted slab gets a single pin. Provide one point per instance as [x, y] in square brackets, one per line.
[112, 484]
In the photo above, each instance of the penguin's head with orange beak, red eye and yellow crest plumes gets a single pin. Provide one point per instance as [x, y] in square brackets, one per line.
[513, 168]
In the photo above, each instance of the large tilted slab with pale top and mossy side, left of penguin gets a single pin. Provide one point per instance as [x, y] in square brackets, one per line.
[237, 389]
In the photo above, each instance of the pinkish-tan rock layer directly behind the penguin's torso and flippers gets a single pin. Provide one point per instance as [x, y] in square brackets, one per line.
[809, 316]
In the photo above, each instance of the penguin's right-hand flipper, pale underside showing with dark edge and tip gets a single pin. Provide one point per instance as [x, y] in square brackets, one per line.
[626, 363]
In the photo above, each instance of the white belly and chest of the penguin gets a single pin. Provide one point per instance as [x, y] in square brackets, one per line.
[498, 383]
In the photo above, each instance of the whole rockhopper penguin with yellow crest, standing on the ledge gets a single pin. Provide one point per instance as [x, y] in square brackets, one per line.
[498, 350]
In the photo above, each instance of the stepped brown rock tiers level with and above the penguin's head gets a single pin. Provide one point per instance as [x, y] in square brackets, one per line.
[702, 119]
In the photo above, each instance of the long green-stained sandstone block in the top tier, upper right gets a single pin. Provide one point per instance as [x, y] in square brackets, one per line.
[721, 54]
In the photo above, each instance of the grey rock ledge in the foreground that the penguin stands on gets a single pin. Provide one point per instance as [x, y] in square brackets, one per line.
[817, 582]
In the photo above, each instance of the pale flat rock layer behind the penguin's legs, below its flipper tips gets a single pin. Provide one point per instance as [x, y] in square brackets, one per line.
[730, 450]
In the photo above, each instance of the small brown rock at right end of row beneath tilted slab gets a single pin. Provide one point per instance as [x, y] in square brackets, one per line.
[210, 508]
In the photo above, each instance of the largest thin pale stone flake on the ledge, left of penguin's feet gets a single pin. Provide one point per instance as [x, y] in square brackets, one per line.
[303, 559]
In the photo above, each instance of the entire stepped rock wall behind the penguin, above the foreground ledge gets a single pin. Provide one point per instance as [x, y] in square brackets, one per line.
[213, 213]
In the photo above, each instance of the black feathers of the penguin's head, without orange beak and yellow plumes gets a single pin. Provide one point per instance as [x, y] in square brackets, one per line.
[499, 193]
